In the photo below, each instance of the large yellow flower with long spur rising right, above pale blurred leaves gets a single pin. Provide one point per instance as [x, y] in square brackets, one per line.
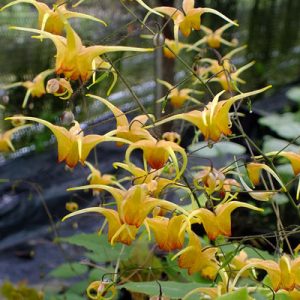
[214, 120]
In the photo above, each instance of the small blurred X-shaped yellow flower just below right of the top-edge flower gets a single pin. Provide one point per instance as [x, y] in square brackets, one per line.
[214, 38]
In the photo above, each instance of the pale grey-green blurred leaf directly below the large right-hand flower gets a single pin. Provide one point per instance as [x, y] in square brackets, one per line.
[218, 149]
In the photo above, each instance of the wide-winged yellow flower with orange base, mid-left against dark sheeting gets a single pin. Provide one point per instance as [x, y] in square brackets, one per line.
[73, 146]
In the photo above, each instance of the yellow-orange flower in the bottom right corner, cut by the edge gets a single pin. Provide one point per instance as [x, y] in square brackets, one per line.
[283, 275]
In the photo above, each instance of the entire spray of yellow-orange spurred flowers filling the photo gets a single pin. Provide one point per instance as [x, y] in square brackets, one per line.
[141, 202]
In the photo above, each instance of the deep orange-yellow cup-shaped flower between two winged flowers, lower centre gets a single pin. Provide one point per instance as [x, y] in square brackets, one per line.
[167, 231]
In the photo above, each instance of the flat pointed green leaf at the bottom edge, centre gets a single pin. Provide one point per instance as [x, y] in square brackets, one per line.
[172, 289]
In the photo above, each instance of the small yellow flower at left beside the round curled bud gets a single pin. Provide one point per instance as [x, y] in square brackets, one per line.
[35, 88]
